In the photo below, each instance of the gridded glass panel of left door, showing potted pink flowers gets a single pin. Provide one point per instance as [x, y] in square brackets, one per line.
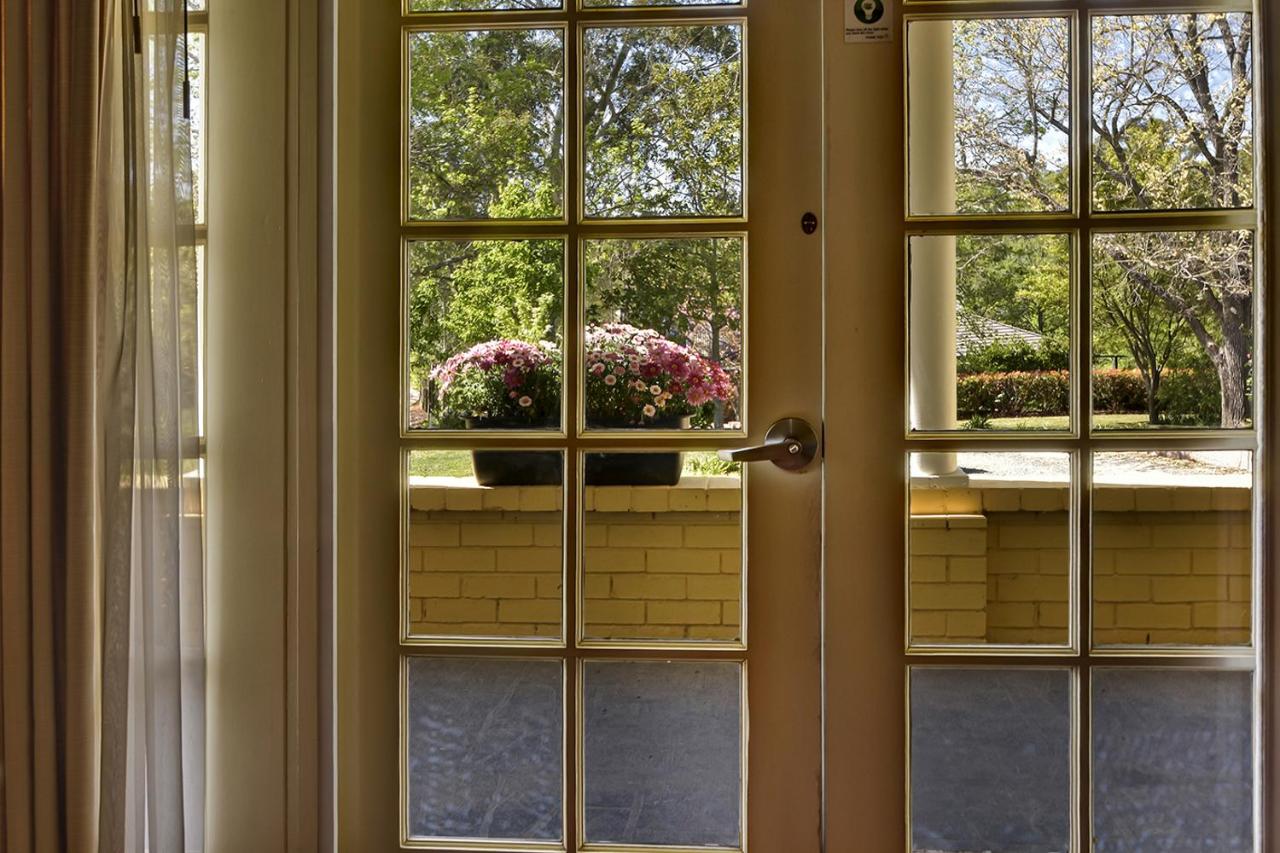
[574, 231]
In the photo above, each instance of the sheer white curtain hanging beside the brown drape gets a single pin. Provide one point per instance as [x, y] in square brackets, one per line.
[150, 499]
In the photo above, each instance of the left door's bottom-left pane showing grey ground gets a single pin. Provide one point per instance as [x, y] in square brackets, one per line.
[484, 749]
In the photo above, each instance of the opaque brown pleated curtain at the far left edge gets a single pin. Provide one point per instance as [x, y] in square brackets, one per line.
[51, 66]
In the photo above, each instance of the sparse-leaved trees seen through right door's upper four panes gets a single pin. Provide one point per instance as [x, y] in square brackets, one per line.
[1172, 129]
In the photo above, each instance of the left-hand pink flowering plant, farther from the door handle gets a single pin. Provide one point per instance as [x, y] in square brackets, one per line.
[510, 382]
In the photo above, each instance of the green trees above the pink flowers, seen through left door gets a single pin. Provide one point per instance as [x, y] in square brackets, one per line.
[664, 138]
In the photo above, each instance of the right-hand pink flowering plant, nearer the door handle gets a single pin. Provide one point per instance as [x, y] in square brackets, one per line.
[637, 377]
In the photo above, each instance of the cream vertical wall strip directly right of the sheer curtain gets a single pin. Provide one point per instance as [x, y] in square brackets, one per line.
[246, 544]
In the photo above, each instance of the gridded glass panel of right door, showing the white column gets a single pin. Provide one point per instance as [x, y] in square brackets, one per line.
[1084, 564]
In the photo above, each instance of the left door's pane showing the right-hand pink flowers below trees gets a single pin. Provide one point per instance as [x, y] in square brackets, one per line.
[665, 334]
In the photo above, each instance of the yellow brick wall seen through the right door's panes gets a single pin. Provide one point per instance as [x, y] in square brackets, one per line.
[1172, 567]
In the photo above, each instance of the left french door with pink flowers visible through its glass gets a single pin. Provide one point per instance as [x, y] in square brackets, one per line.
[574, 264]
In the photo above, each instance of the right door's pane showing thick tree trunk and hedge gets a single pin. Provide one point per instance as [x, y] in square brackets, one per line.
[1173, 330]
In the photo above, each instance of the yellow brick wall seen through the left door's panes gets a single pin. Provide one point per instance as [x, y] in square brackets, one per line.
[661, 563]
